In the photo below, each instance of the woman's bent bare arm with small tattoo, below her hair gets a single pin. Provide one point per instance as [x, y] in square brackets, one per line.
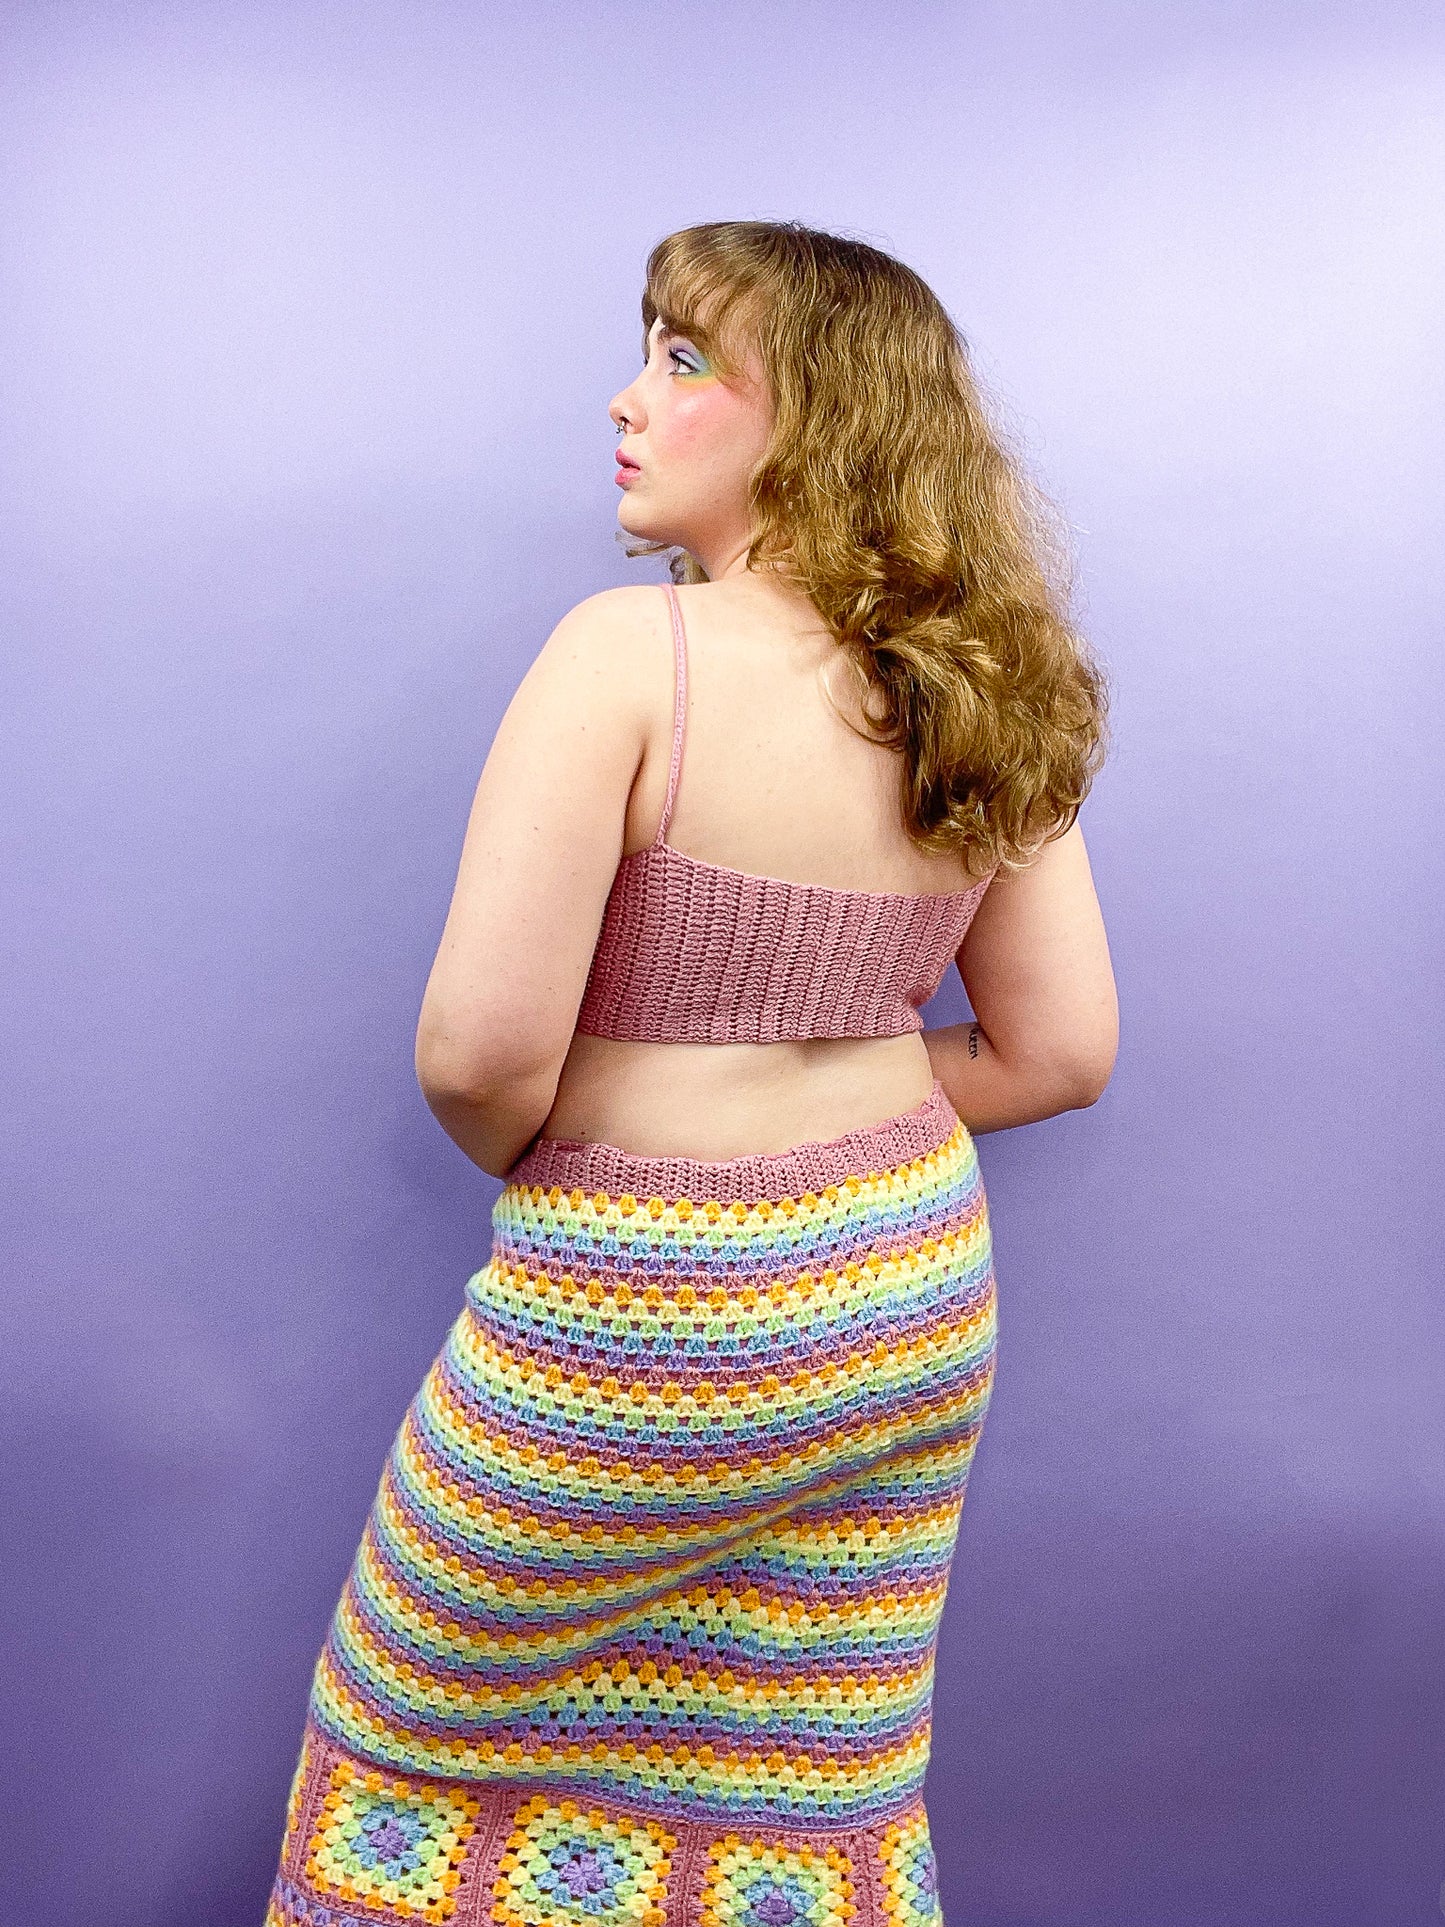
[1038, 968]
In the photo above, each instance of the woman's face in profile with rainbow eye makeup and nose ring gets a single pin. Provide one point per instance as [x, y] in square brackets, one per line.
[689, 448]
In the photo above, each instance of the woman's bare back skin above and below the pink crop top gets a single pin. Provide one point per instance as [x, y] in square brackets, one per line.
[774, 783]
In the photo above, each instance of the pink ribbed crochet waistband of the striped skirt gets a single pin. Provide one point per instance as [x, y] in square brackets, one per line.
[764, 1175]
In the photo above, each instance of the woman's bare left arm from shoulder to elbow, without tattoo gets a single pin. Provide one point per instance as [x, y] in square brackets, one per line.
[542, 845]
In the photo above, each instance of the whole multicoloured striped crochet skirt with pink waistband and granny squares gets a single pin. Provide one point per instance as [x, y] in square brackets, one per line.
[643, 1625]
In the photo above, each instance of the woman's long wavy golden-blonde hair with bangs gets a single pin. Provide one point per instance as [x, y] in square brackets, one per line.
[891, 500]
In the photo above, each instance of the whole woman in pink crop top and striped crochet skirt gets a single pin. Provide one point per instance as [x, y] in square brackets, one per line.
[643, 1625]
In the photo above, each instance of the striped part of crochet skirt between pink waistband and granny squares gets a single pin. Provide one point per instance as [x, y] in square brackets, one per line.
[671, 1516]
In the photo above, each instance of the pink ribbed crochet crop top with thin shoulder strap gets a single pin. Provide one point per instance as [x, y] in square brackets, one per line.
[696, 953]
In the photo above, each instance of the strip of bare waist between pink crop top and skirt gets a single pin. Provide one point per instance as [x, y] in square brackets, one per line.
[714, 1103]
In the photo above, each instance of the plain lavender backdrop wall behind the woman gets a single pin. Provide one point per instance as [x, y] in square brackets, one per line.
[309, 321]
